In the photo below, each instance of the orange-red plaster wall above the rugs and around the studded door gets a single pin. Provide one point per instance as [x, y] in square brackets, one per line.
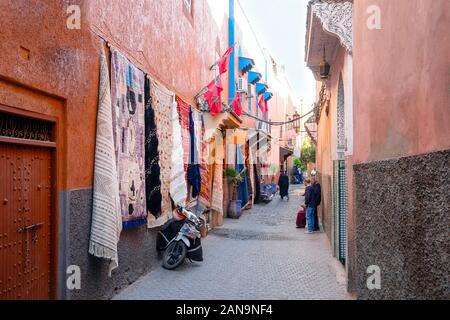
[64, 64]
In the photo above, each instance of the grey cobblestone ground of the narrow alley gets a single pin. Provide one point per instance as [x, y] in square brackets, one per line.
[260, 256]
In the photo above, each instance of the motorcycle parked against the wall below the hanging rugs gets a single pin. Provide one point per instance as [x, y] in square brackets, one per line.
[180, 239]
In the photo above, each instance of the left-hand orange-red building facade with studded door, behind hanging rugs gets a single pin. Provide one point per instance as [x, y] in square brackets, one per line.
[49, 89]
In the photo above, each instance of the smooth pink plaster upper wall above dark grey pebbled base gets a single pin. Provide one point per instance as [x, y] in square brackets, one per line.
[401, 79]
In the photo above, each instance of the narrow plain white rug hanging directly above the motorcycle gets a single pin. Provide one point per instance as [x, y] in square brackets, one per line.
[178, 187]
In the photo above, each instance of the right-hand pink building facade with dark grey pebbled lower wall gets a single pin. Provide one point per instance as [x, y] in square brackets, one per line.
[382, 161]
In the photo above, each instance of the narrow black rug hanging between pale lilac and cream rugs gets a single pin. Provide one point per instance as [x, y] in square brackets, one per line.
[152, 169]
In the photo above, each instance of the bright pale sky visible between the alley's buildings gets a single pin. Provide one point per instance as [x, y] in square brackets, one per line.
[280, 26]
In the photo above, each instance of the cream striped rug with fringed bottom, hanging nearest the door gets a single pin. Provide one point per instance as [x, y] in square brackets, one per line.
[106, 223]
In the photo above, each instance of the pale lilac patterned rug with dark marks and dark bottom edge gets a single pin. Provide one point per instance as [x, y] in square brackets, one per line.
[127, 93]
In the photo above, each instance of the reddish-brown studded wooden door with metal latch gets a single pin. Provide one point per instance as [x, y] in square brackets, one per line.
[25, 222]
